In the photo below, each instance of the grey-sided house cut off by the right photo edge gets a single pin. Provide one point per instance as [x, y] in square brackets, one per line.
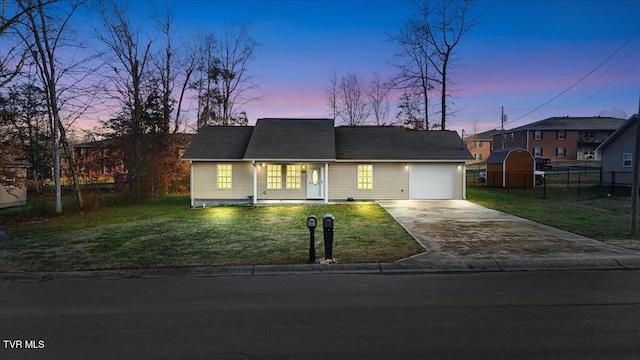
[617, 154]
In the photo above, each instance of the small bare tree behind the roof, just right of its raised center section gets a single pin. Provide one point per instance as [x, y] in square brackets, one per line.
[352, 100]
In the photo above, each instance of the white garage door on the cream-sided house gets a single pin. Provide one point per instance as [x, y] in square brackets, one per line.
[432, 181]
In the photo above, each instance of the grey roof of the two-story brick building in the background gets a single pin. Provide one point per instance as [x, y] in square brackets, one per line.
[573, 123]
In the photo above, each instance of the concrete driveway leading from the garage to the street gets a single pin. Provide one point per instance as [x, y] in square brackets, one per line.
[458, 229]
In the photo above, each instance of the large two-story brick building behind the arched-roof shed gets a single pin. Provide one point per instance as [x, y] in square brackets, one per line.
[561, 138]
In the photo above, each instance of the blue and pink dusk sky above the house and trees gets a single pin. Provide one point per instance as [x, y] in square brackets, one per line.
[521, 55]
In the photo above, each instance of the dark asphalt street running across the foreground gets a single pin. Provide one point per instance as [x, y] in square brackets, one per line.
[506, 315]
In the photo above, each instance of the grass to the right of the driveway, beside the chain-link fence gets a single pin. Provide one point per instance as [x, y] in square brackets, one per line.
[592, 212]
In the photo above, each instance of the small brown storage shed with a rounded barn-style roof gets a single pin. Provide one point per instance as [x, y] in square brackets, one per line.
[511, 167]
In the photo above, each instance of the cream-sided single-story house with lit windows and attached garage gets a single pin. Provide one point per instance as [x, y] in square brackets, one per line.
[311, 159]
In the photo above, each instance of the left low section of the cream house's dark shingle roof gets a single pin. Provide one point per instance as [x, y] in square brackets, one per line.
[219, 143]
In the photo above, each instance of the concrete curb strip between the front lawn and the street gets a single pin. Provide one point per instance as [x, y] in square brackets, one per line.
[431, 266]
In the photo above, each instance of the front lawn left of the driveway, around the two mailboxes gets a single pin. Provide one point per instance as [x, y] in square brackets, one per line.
[168, 233]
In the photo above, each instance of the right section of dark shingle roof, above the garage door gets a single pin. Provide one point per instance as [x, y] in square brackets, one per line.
[398, 143]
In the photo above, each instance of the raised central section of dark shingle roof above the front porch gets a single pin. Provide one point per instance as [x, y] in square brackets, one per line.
[292, 139]
